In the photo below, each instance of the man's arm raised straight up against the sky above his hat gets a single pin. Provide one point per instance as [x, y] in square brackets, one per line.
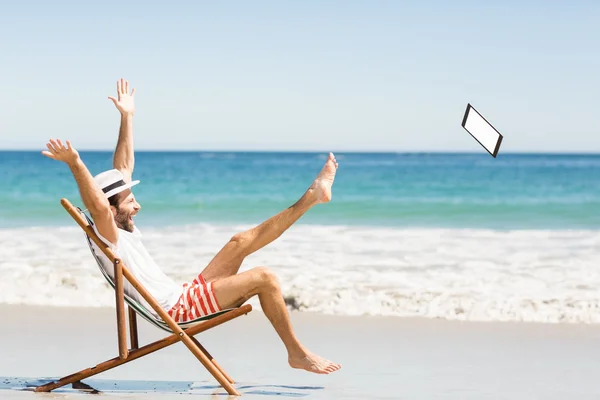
[123, 159]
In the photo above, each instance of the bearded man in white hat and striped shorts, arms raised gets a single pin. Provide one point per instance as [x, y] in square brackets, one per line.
[111, 203]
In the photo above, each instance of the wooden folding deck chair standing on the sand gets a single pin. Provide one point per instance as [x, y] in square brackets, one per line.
[183, 332]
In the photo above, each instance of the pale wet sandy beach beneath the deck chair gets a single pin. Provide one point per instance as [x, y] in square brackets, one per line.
[382, 357]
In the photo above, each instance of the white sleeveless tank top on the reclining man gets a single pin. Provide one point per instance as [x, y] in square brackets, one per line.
[138, 261]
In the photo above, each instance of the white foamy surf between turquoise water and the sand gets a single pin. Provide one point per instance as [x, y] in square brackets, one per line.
[458, 274]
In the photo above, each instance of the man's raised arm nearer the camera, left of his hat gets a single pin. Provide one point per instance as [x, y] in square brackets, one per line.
[91, 194]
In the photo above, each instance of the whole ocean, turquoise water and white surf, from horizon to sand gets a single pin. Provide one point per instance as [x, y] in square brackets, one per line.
[453, 236]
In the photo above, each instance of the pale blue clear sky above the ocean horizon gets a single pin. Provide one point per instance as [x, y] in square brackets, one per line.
[310, 75]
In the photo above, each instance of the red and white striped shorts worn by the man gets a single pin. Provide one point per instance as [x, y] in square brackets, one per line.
[197, 300]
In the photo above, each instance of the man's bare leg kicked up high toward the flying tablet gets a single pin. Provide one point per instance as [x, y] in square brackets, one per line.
[228, 261]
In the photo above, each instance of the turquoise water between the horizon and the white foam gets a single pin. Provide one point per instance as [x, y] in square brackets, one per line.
[513, 191]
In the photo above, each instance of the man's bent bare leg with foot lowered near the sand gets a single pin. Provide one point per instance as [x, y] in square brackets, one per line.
[237, 289]
